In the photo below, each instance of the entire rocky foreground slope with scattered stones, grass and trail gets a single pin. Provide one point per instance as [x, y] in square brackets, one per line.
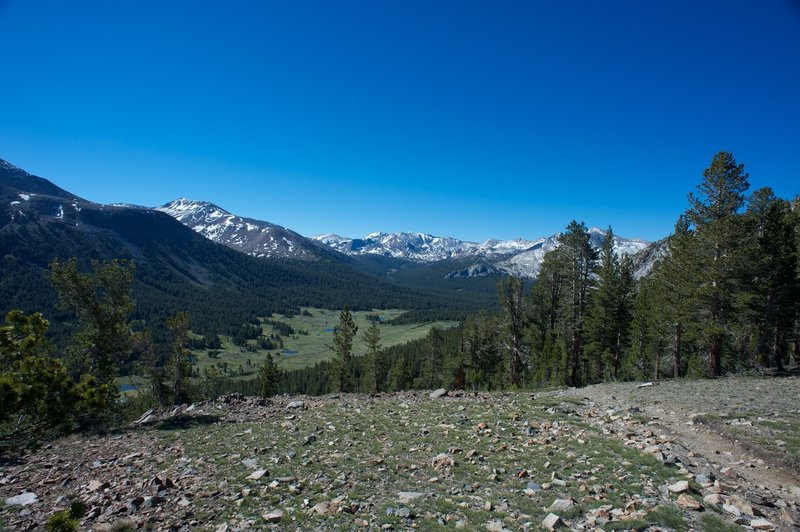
[677, 455]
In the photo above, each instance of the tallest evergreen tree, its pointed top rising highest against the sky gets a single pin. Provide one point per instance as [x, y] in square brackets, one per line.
[713, 213]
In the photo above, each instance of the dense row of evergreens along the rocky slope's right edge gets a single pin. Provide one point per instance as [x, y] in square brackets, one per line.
[723, 297]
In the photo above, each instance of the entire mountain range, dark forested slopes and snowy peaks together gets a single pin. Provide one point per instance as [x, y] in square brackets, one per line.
[226, 269]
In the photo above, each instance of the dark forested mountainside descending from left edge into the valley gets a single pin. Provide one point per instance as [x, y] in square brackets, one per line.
[176, 268]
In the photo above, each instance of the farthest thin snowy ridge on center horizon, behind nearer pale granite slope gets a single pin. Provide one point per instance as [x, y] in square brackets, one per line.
[420, 247]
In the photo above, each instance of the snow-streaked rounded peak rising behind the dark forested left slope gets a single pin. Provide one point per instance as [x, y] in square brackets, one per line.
[254, 237]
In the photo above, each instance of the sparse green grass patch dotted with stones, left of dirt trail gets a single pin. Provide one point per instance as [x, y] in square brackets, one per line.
[368, 452]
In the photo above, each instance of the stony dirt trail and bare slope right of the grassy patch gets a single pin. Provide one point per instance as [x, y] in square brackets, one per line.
[732, 427]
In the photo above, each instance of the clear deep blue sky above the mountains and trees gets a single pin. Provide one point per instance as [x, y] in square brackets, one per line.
[472, 119]
